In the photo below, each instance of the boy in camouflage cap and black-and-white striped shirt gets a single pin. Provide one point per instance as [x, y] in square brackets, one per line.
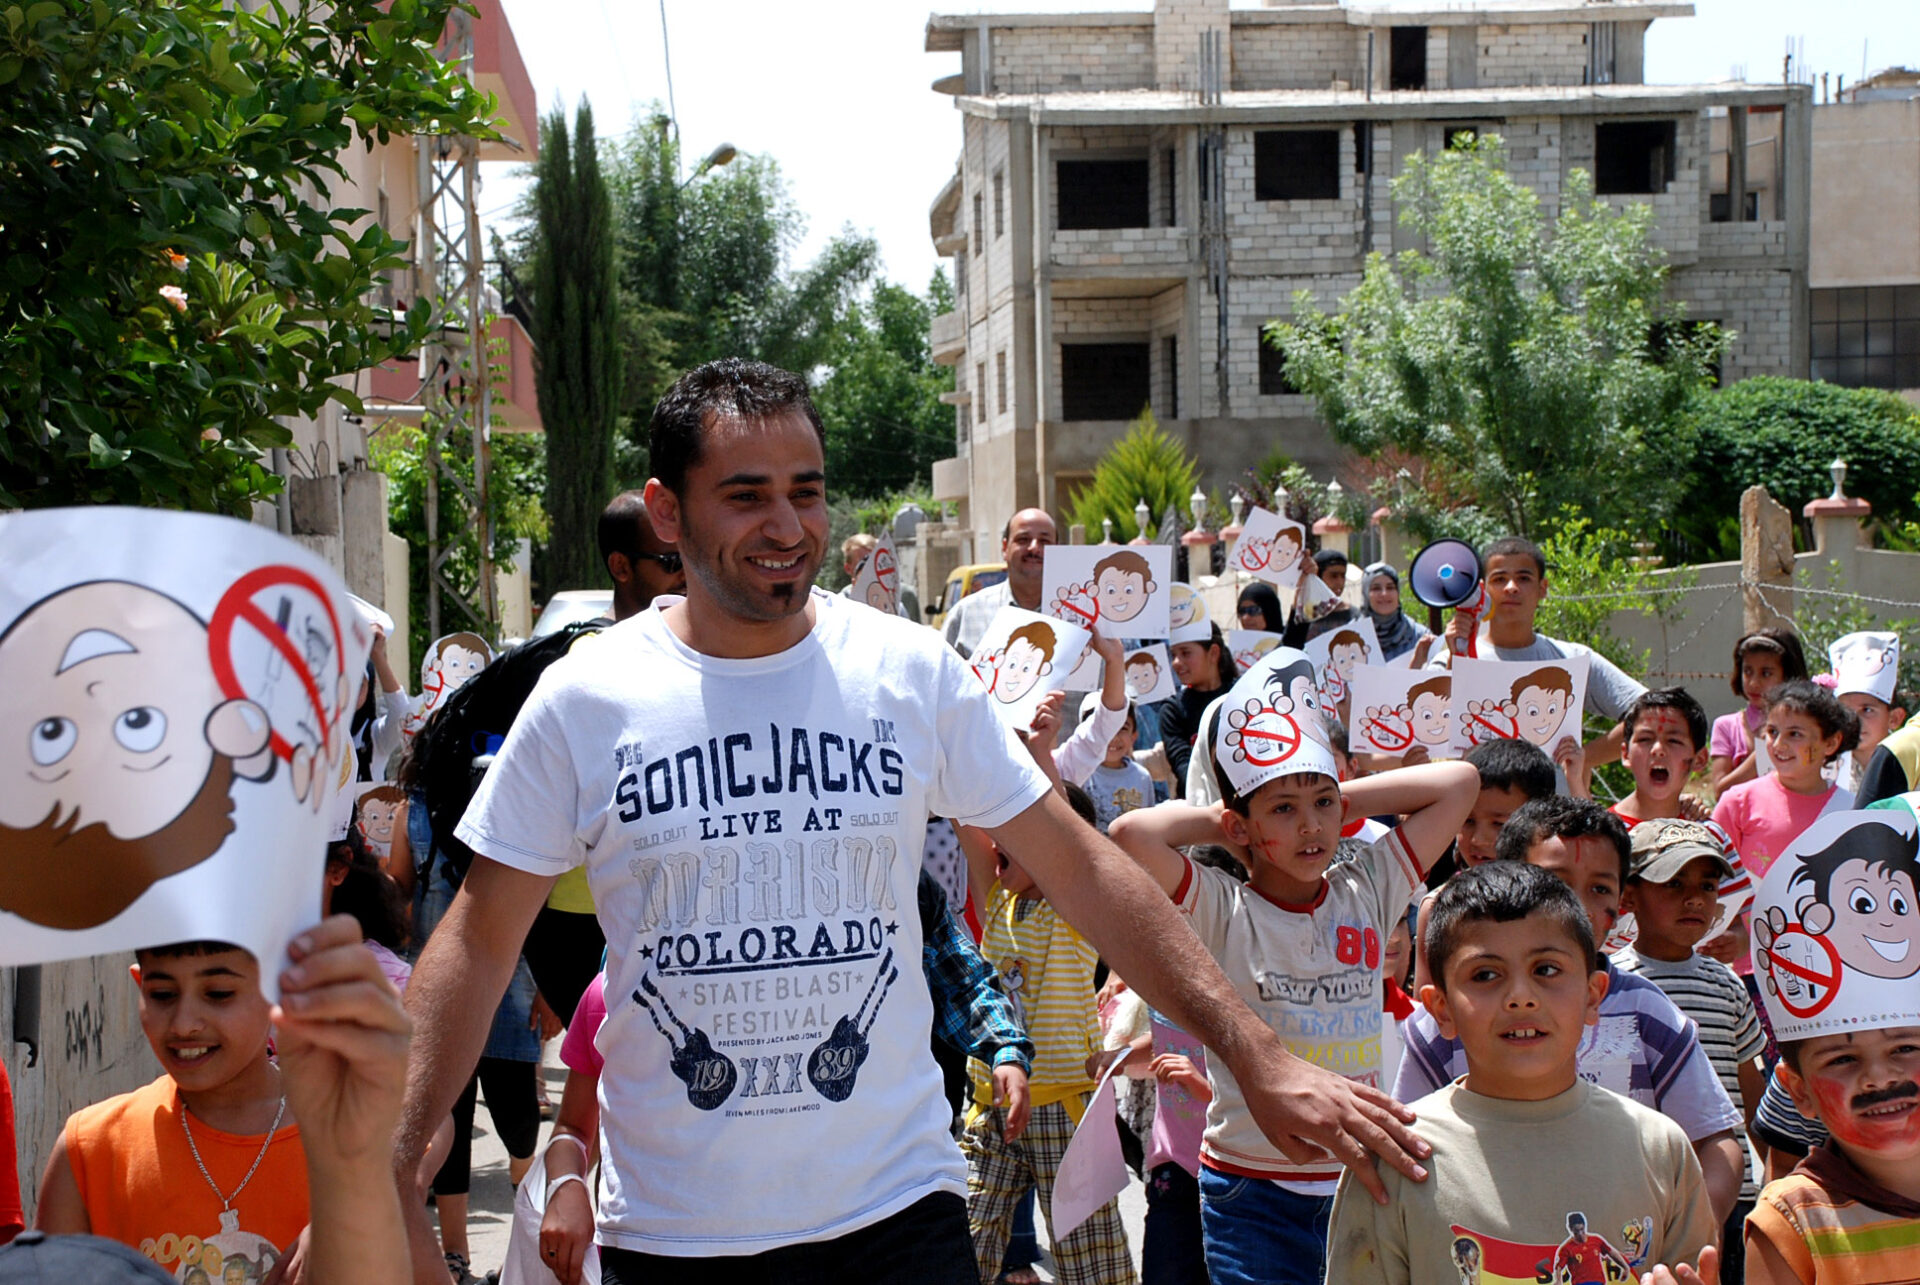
[1673, 888]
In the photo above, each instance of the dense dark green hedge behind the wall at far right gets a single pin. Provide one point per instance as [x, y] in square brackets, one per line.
[1785, 435]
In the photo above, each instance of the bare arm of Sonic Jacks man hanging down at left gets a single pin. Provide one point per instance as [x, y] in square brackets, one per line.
[452, 998]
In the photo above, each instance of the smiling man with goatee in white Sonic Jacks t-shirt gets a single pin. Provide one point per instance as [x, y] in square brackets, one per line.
[746, 775]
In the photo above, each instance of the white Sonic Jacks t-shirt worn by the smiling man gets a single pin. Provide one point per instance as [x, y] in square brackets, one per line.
[752, 831]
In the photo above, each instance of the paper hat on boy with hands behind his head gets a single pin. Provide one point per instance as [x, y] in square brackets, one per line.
[1270, 725]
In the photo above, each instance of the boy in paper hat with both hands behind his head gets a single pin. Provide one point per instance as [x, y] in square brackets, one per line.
[1301, 940]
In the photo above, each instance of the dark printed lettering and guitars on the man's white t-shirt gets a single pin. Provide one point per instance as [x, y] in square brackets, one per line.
[767, 908]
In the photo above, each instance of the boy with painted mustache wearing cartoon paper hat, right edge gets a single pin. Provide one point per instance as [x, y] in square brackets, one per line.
[1850, 1055]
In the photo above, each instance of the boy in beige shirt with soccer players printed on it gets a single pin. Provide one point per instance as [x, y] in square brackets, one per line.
[1516, 984]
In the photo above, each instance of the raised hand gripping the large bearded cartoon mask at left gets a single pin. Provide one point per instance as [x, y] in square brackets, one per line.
[343, 1042]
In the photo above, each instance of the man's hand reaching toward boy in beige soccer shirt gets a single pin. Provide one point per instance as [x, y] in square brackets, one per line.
[1312, 1113]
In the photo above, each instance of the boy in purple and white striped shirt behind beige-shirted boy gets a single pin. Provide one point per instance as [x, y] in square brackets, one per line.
[1646, 1048]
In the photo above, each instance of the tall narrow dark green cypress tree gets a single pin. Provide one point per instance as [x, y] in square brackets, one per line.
[577, 333]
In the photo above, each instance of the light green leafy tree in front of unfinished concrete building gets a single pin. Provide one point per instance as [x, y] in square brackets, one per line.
[1527, 370]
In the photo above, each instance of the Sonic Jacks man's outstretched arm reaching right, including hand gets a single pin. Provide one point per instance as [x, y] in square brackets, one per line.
[1116, 906]
